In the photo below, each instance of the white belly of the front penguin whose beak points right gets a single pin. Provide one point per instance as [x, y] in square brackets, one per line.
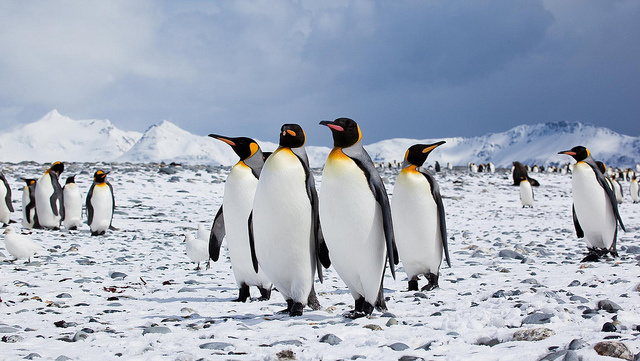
[416, 224]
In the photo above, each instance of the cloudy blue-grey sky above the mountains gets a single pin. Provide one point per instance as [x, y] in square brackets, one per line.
[415, 69]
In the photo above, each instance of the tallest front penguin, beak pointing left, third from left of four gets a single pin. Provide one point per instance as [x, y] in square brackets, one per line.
[356, 218]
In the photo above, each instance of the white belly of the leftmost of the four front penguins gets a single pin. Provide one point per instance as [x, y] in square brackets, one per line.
[239, 191]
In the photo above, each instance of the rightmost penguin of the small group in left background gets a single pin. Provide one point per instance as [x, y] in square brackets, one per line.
[100, 204]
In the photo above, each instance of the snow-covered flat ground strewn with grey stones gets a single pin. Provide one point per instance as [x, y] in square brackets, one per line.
[134, 295]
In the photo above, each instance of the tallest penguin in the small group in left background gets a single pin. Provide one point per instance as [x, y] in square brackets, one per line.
[49, 204]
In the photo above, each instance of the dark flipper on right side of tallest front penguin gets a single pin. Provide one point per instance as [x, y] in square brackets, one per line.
[364, 162]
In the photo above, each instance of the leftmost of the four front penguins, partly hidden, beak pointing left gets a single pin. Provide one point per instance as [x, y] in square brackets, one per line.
[233, 215]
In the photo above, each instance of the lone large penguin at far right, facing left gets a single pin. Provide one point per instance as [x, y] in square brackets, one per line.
[595, 210]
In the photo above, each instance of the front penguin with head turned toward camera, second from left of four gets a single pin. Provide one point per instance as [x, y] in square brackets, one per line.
[284, 228]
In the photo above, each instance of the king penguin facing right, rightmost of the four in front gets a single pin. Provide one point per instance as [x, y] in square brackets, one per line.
[419, 219]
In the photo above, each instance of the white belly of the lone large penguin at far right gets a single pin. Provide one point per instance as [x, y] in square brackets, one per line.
[593, 208]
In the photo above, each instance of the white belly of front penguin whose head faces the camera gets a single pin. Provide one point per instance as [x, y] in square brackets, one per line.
[282, 226]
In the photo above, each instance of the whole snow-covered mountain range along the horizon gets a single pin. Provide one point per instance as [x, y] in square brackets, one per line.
[56, 137]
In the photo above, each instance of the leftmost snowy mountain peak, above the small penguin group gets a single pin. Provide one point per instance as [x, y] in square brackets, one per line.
[57, 137]
